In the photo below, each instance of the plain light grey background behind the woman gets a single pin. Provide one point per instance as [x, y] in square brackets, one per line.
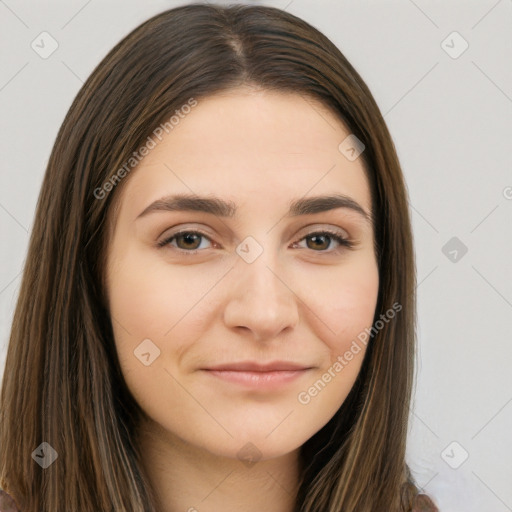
[450, 117]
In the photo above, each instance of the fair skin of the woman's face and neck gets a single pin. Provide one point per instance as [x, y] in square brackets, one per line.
[297, 301]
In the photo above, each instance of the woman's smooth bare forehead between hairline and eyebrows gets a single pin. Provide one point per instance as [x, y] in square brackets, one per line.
[254, 147]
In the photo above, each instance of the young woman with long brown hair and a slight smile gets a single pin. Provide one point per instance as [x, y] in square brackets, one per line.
[271, 365]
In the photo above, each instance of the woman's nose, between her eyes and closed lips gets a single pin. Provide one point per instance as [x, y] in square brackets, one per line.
[261, 301]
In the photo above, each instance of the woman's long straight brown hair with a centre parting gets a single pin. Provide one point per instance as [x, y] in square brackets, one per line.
[62, 382]
